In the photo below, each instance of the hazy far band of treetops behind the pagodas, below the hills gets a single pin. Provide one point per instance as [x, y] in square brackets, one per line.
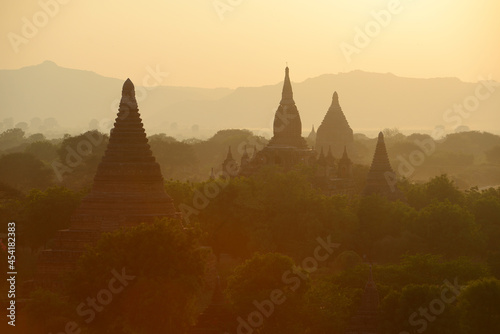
[469, 158]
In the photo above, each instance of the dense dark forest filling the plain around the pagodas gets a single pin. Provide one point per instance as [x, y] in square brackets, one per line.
[435, 257]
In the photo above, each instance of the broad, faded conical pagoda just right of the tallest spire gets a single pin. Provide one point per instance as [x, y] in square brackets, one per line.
[334, 131]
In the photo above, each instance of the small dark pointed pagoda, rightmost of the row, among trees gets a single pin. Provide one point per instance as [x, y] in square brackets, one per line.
[381, 178]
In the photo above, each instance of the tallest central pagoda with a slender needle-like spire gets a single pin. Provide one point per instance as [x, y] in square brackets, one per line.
[287, 147]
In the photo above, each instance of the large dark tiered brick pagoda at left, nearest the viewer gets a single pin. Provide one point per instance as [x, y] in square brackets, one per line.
[128, 189]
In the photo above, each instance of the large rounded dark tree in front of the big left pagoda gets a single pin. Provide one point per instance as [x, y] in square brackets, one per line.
[165, 267]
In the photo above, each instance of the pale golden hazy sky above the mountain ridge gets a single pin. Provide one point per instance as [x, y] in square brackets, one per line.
[248, 42]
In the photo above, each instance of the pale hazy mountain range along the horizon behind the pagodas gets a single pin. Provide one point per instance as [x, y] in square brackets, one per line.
[370, 101]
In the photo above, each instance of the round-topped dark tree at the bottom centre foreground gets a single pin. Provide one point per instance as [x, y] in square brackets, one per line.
[268, 294]
